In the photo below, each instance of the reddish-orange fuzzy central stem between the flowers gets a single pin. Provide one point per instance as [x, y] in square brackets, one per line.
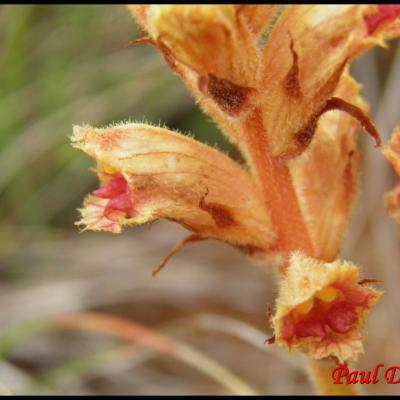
[287, 219]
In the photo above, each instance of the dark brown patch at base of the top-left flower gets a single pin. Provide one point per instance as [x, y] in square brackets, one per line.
[230, 97]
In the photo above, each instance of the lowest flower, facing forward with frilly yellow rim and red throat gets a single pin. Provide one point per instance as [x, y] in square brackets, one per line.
[321, 308]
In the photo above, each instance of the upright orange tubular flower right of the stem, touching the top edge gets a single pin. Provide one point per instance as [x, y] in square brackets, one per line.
[304, 58]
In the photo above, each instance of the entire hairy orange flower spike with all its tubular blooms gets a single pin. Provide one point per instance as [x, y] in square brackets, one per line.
[276, 81]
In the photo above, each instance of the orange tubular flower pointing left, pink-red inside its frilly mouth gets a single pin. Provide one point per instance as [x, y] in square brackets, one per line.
[147, 173]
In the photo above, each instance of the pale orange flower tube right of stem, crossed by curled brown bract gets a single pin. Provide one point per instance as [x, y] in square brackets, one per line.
[325, 176]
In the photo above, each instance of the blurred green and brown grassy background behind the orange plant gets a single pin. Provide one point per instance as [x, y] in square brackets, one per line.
[70, 64]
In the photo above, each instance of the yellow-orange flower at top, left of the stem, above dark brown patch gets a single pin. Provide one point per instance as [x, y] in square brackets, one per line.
[210, 39]
